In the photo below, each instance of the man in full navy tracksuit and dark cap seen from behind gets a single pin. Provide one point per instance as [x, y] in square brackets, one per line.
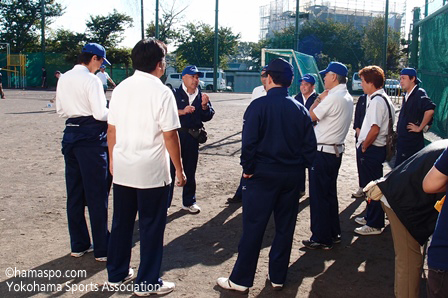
[278, 142]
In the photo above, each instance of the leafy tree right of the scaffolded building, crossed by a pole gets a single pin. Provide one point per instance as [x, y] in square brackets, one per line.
[373, 42]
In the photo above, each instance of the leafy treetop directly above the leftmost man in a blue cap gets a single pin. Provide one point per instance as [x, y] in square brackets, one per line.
[108, 30]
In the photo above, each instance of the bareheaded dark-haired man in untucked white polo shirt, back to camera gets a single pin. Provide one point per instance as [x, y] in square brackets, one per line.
[143, 125]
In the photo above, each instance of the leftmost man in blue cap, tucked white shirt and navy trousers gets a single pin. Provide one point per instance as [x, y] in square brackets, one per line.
[80, 98]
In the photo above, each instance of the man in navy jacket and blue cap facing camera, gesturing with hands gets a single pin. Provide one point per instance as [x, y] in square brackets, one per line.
[194, 108]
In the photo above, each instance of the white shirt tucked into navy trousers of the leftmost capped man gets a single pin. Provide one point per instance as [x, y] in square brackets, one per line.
[80, 93]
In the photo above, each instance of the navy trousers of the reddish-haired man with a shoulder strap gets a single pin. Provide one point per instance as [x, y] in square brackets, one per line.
[370, 167]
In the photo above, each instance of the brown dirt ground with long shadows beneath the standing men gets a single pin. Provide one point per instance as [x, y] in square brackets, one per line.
[198, 248]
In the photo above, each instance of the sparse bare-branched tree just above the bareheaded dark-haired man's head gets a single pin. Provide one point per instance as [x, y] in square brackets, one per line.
[167, 32]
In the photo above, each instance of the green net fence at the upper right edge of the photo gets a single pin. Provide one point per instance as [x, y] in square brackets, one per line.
[433, 67]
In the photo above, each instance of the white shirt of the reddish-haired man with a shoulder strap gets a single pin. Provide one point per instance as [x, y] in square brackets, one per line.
[377, 113]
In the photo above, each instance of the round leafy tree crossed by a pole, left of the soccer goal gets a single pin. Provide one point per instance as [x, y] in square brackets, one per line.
[196, 45]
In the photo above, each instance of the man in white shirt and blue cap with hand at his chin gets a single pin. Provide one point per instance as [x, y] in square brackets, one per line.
[333, 111]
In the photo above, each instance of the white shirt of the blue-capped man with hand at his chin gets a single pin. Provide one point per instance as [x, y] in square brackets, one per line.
[335, 115]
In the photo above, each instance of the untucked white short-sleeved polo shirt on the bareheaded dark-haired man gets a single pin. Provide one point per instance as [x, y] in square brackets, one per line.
[141, 109]
